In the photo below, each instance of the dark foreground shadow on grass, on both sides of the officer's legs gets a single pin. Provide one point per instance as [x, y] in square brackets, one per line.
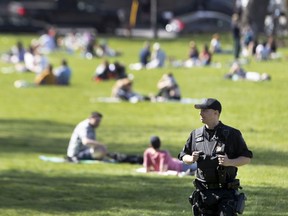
[106, 193]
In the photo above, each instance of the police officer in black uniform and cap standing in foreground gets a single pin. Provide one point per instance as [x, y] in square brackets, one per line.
[218, 150]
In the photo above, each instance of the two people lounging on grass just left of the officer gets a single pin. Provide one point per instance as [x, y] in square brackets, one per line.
[84, 145]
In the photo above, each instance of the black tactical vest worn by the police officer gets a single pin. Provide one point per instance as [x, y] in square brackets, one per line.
[209, 170]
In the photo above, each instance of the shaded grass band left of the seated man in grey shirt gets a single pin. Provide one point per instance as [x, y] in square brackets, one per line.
[34, 136]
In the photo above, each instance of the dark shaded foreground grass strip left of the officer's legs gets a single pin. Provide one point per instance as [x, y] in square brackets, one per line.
[56, 195]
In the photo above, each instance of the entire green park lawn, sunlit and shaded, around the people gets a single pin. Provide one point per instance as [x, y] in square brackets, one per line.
[39, 121]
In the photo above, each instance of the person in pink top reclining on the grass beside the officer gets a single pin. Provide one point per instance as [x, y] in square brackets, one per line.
[161, 160]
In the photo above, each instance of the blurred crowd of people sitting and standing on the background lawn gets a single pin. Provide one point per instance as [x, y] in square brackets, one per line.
[35, 59]
